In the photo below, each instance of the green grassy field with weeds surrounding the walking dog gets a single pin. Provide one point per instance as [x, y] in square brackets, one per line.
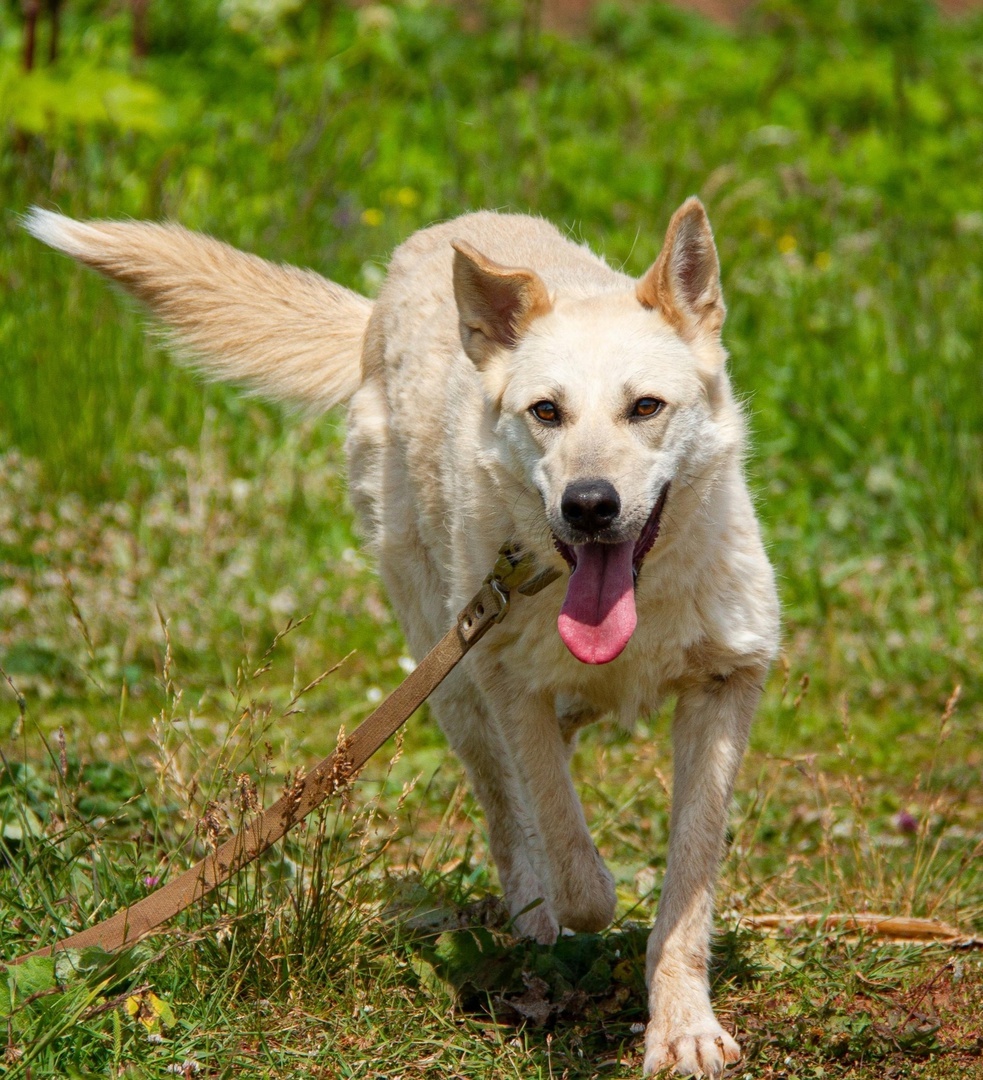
[178, 562]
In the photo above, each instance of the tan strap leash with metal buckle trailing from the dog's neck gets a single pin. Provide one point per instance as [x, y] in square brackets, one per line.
[513, 573]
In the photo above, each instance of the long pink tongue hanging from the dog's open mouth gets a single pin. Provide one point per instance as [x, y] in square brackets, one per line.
[599, 614]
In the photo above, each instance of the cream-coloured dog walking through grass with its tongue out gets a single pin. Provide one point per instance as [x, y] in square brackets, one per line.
[505, 384]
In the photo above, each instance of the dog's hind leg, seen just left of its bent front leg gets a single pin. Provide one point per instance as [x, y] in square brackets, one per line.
[517, 847]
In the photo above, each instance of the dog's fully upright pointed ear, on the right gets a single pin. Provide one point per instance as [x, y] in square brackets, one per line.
[684, 282]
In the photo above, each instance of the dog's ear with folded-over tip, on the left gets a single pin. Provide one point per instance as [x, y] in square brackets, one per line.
[495, 304]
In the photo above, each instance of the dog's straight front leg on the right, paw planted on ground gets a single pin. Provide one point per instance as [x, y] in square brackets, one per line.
[710, 733]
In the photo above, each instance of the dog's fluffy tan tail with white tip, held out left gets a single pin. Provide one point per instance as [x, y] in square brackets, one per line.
[289, 334]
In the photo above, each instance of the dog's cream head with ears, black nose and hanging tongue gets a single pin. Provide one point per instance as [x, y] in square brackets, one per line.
[603, 404]
